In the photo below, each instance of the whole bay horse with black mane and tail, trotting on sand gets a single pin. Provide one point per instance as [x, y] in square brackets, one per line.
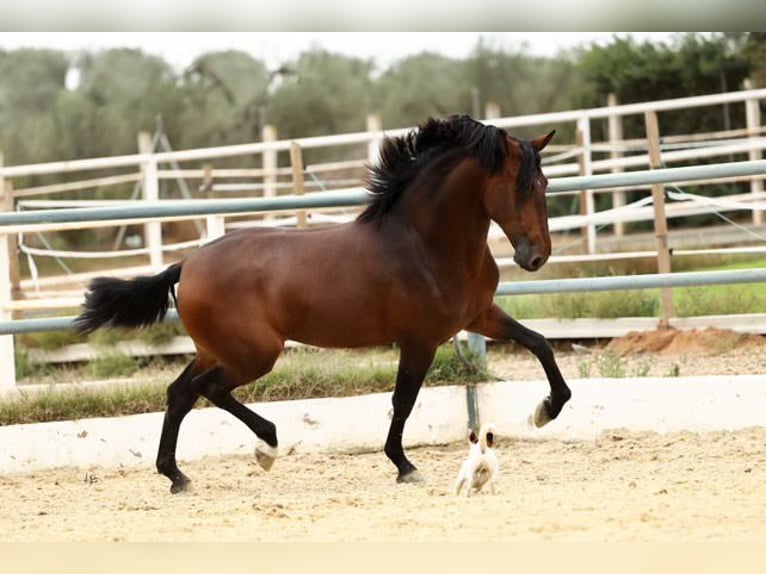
[413, 269]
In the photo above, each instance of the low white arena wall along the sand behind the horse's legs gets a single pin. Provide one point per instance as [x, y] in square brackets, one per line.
[353, 424]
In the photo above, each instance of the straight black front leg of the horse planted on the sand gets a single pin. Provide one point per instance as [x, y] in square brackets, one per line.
[414, 361]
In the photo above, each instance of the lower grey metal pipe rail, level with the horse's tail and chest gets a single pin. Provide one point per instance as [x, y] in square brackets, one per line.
[616, 283]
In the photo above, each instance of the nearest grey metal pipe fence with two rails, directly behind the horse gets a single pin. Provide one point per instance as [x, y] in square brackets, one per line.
[20, 222]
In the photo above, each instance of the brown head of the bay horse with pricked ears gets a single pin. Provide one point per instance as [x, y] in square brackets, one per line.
[515, 200]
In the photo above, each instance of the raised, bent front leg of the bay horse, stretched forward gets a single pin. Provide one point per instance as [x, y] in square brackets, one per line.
[497, 324]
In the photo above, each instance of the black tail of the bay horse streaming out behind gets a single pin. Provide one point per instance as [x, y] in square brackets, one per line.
[129, 303]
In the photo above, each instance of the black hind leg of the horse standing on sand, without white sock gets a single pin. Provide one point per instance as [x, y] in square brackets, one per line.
[181, 399]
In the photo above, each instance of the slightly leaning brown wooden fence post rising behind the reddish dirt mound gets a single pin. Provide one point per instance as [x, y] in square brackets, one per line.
[660, 220]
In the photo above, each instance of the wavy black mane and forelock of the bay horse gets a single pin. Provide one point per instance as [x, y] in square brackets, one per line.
[401, 158]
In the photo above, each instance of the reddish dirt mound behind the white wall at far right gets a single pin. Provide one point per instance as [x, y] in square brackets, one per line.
[691, 343]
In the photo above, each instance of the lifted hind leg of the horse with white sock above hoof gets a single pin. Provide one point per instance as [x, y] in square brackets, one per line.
[216, 386]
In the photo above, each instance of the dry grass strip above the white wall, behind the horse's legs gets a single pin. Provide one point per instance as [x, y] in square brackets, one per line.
[301, 373]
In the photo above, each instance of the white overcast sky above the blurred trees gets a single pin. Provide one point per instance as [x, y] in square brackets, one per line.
[180, 48]
